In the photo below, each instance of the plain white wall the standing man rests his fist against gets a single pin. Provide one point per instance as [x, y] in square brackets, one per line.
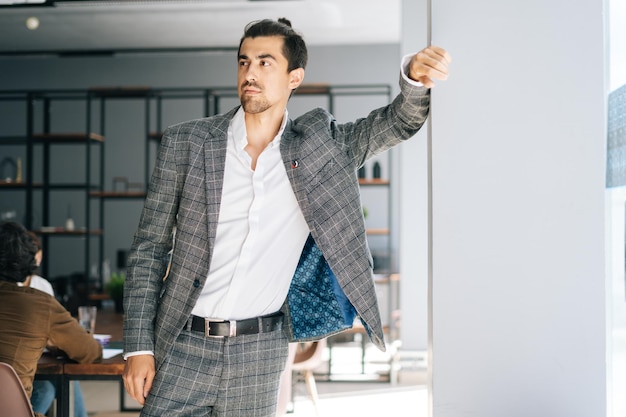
[518, 205]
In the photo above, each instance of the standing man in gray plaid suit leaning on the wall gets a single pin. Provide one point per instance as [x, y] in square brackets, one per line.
[262, 217]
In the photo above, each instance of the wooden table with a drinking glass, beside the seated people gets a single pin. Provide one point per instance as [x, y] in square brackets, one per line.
[62, 370]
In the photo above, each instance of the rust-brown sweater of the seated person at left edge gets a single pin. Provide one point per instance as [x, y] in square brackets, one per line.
[29, 319]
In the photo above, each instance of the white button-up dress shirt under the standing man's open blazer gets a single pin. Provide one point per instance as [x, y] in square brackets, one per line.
[260, 233]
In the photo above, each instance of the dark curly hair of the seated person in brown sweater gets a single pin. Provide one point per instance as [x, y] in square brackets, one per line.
[17, 253]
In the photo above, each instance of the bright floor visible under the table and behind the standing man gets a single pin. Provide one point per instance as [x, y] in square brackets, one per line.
[350, 391]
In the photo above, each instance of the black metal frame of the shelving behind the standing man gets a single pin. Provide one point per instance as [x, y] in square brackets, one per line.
[154, 98]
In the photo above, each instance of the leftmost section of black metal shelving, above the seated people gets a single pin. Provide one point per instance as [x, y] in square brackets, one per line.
[38, 135]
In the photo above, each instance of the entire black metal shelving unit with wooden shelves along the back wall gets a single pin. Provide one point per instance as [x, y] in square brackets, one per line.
[36, 108]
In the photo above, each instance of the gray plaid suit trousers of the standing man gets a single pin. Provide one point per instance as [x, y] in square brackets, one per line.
[219, 377]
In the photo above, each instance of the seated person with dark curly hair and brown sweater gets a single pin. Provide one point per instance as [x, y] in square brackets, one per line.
[30, 319]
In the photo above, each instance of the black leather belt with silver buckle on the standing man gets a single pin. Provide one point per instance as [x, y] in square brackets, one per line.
[226, 328]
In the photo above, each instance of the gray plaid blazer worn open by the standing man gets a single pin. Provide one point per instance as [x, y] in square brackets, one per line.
[321, 158]
